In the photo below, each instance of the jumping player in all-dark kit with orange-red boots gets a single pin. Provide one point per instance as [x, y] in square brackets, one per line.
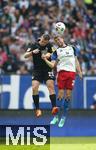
[42, 72]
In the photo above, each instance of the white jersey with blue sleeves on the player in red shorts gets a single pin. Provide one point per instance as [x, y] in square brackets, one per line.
[66, 58]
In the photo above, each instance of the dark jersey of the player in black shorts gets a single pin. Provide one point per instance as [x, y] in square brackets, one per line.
[39, 63]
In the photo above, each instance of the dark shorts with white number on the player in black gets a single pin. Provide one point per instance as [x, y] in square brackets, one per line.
[43, 76]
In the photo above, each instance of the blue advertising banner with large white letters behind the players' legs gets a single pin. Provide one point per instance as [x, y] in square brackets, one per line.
[15, 93]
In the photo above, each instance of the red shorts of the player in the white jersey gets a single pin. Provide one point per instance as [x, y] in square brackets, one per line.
[66, 79]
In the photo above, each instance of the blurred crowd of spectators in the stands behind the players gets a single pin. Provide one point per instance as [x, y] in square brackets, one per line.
[24, 21]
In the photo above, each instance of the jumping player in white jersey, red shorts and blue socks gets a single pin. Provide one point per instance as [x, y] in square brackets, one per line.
[65, 59]
